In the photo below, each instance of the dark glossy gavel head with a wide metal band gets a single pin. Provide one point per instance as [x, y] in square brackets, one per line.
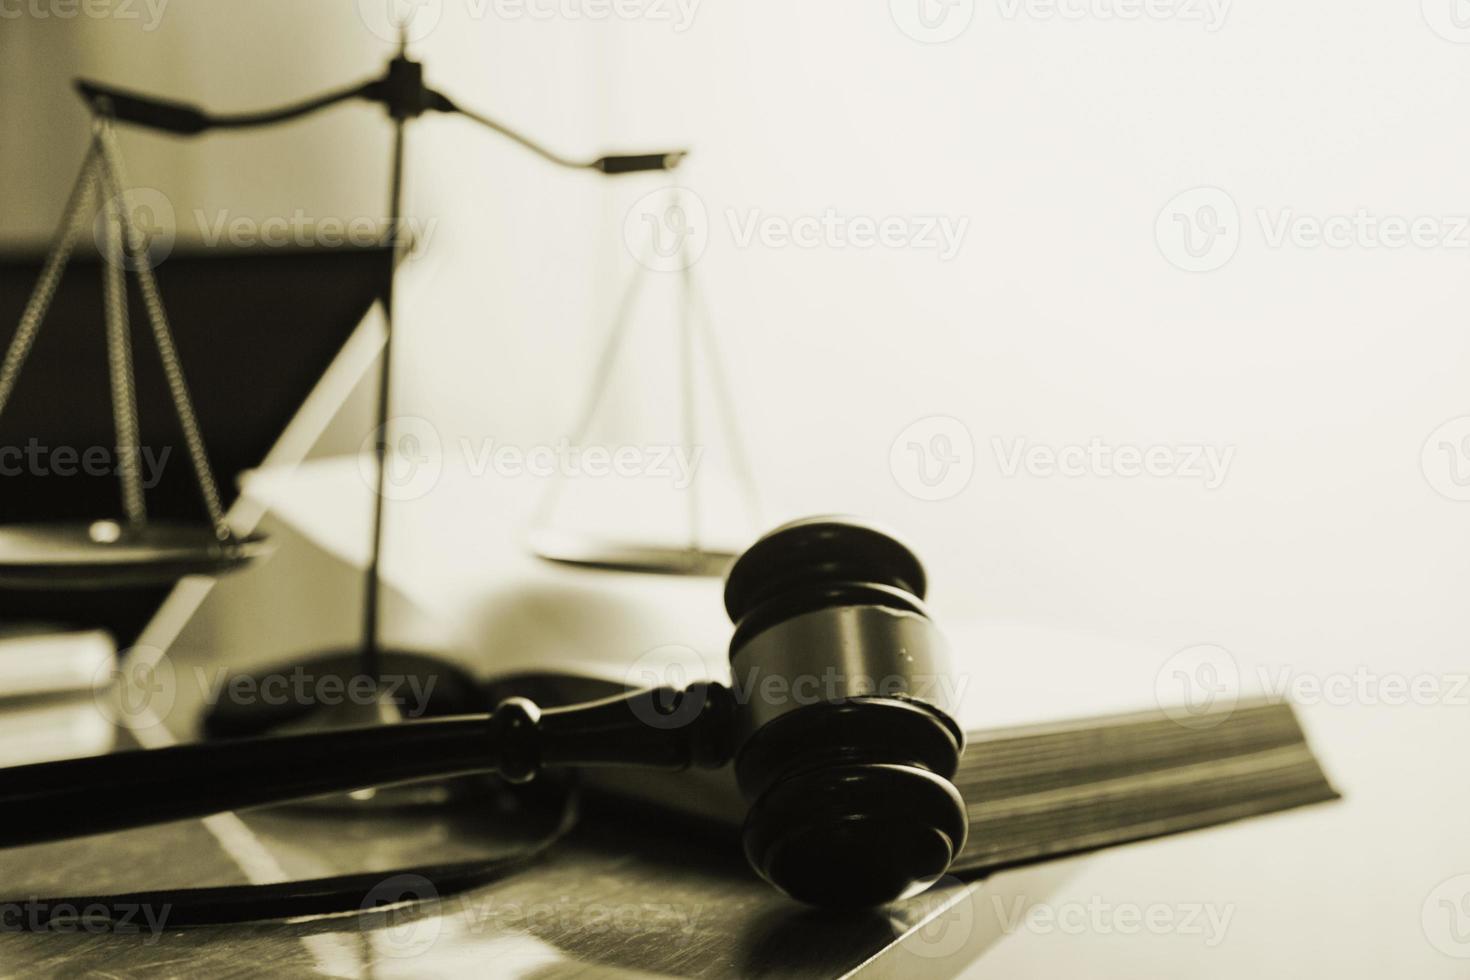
[845, 746]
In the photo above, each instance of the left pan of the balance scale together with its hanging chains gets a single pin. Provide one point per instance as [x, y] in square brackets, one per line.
[135, 552]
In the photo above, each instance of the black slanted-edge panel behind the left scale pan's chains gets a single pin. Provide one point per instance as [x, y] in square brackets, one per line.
[255, 331]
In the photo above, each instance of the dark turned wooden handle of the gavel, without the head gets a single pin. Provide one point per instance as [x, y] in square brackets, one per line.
[51, 801]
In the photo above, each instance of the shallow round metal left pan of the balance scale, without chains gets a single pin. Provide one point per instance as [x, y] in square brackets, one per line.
[111, 556]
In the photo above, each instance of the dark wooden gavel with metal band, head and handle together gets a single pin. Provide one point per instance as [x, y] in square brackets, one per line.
[836, 728]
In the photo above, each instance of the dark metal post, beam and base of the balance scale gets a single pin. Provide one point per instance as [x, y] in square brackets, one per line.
[405, 96]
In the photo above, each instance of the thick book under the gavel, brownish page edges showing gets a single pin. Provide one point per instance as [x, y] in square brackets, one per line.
[1044, 791]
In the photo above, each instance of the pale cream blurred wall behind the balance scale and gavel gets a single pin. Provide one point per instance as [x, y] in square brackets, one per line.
[1058, 140]
